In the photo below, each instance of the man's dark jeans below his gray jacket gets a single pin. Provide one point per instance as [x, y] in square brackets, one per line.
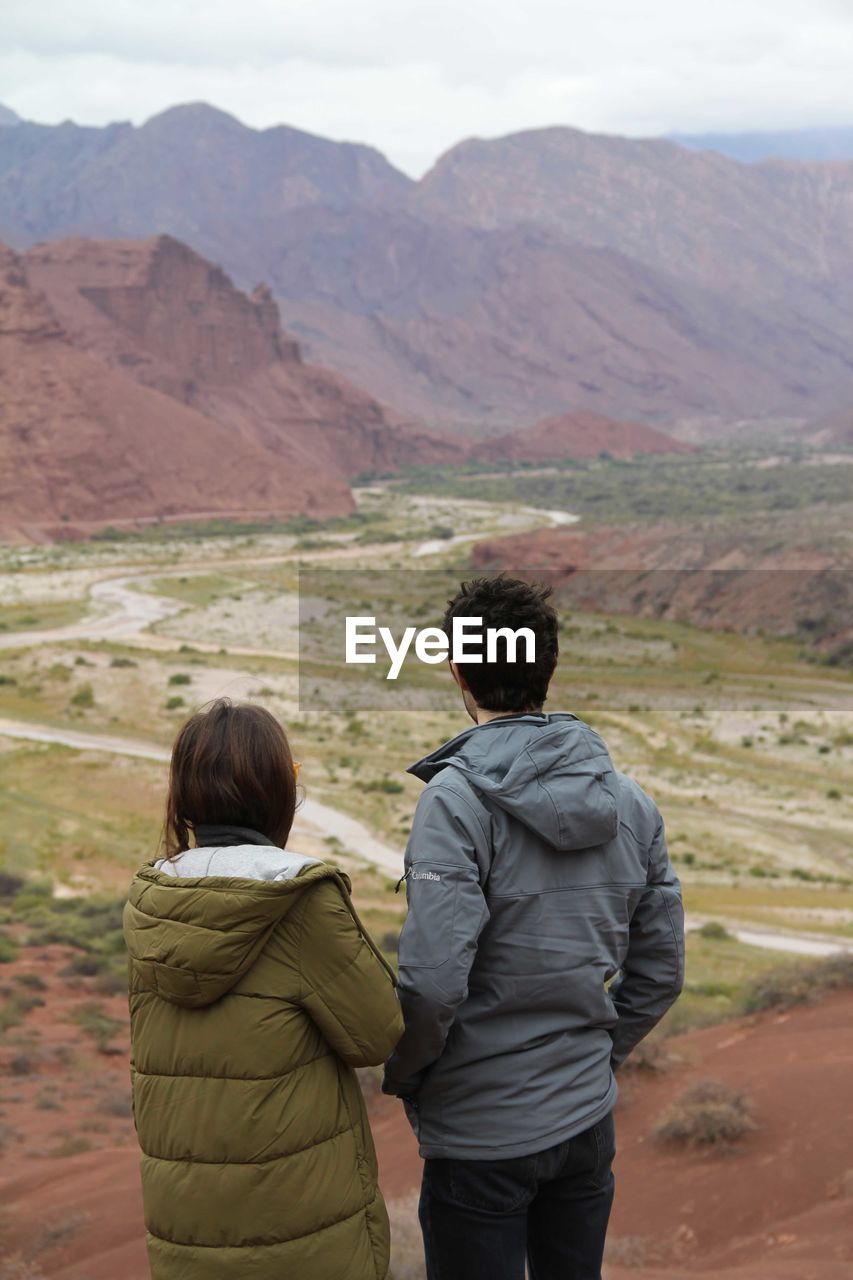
[482, 1219]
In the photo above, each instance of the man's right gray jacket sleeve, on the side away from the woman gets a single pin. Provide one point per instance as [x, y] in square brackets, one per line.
[653, 976]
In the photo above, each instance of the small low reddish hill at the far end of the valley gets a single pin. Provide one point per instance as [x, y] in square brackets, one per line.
[577, 436]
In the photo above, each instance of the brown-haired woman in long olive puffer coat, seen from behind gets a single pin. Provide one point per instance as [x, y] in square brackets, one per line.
[254, 994]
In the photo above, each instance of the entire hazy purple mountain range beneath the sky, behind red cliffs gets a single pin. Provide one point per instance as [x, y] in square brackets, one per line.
[522, 278]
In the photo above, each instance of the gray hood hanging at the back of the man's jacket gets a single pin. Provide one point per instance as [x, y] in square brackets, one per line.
[551, 772]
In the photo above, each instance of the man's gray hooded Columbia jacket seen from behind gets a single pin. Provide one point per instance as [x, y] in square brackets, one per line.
[535, 874]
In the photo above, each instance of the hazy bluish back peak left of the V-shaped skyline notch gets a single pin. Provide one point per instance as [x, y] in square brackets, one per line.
[193, 172]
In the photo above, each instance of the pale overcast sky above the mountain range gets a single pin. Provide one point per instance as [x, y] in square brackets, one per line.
[416, 76]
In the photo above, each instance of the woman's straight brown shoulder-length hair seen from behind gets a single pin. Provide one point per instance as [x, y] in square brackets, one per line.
[231, 766]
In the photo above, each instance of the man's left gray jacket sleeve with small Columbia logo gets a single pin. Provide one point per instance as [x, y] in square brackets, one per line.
[448, 912]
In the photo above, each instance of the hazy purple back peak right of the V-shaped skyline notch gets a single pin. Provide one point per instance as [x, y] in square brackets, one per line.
[705, 218]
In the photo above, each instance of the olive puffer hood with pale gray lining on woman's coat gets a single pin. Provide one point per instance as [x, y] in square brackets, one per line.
[197, 926]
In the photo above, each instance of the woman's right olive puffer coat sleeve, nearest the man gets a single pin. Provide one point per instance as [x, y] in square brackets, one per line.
[346, 986]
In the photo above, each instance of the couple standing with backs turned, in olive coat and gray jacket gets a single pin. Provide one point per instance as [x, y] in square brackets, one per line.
[536, 874]
